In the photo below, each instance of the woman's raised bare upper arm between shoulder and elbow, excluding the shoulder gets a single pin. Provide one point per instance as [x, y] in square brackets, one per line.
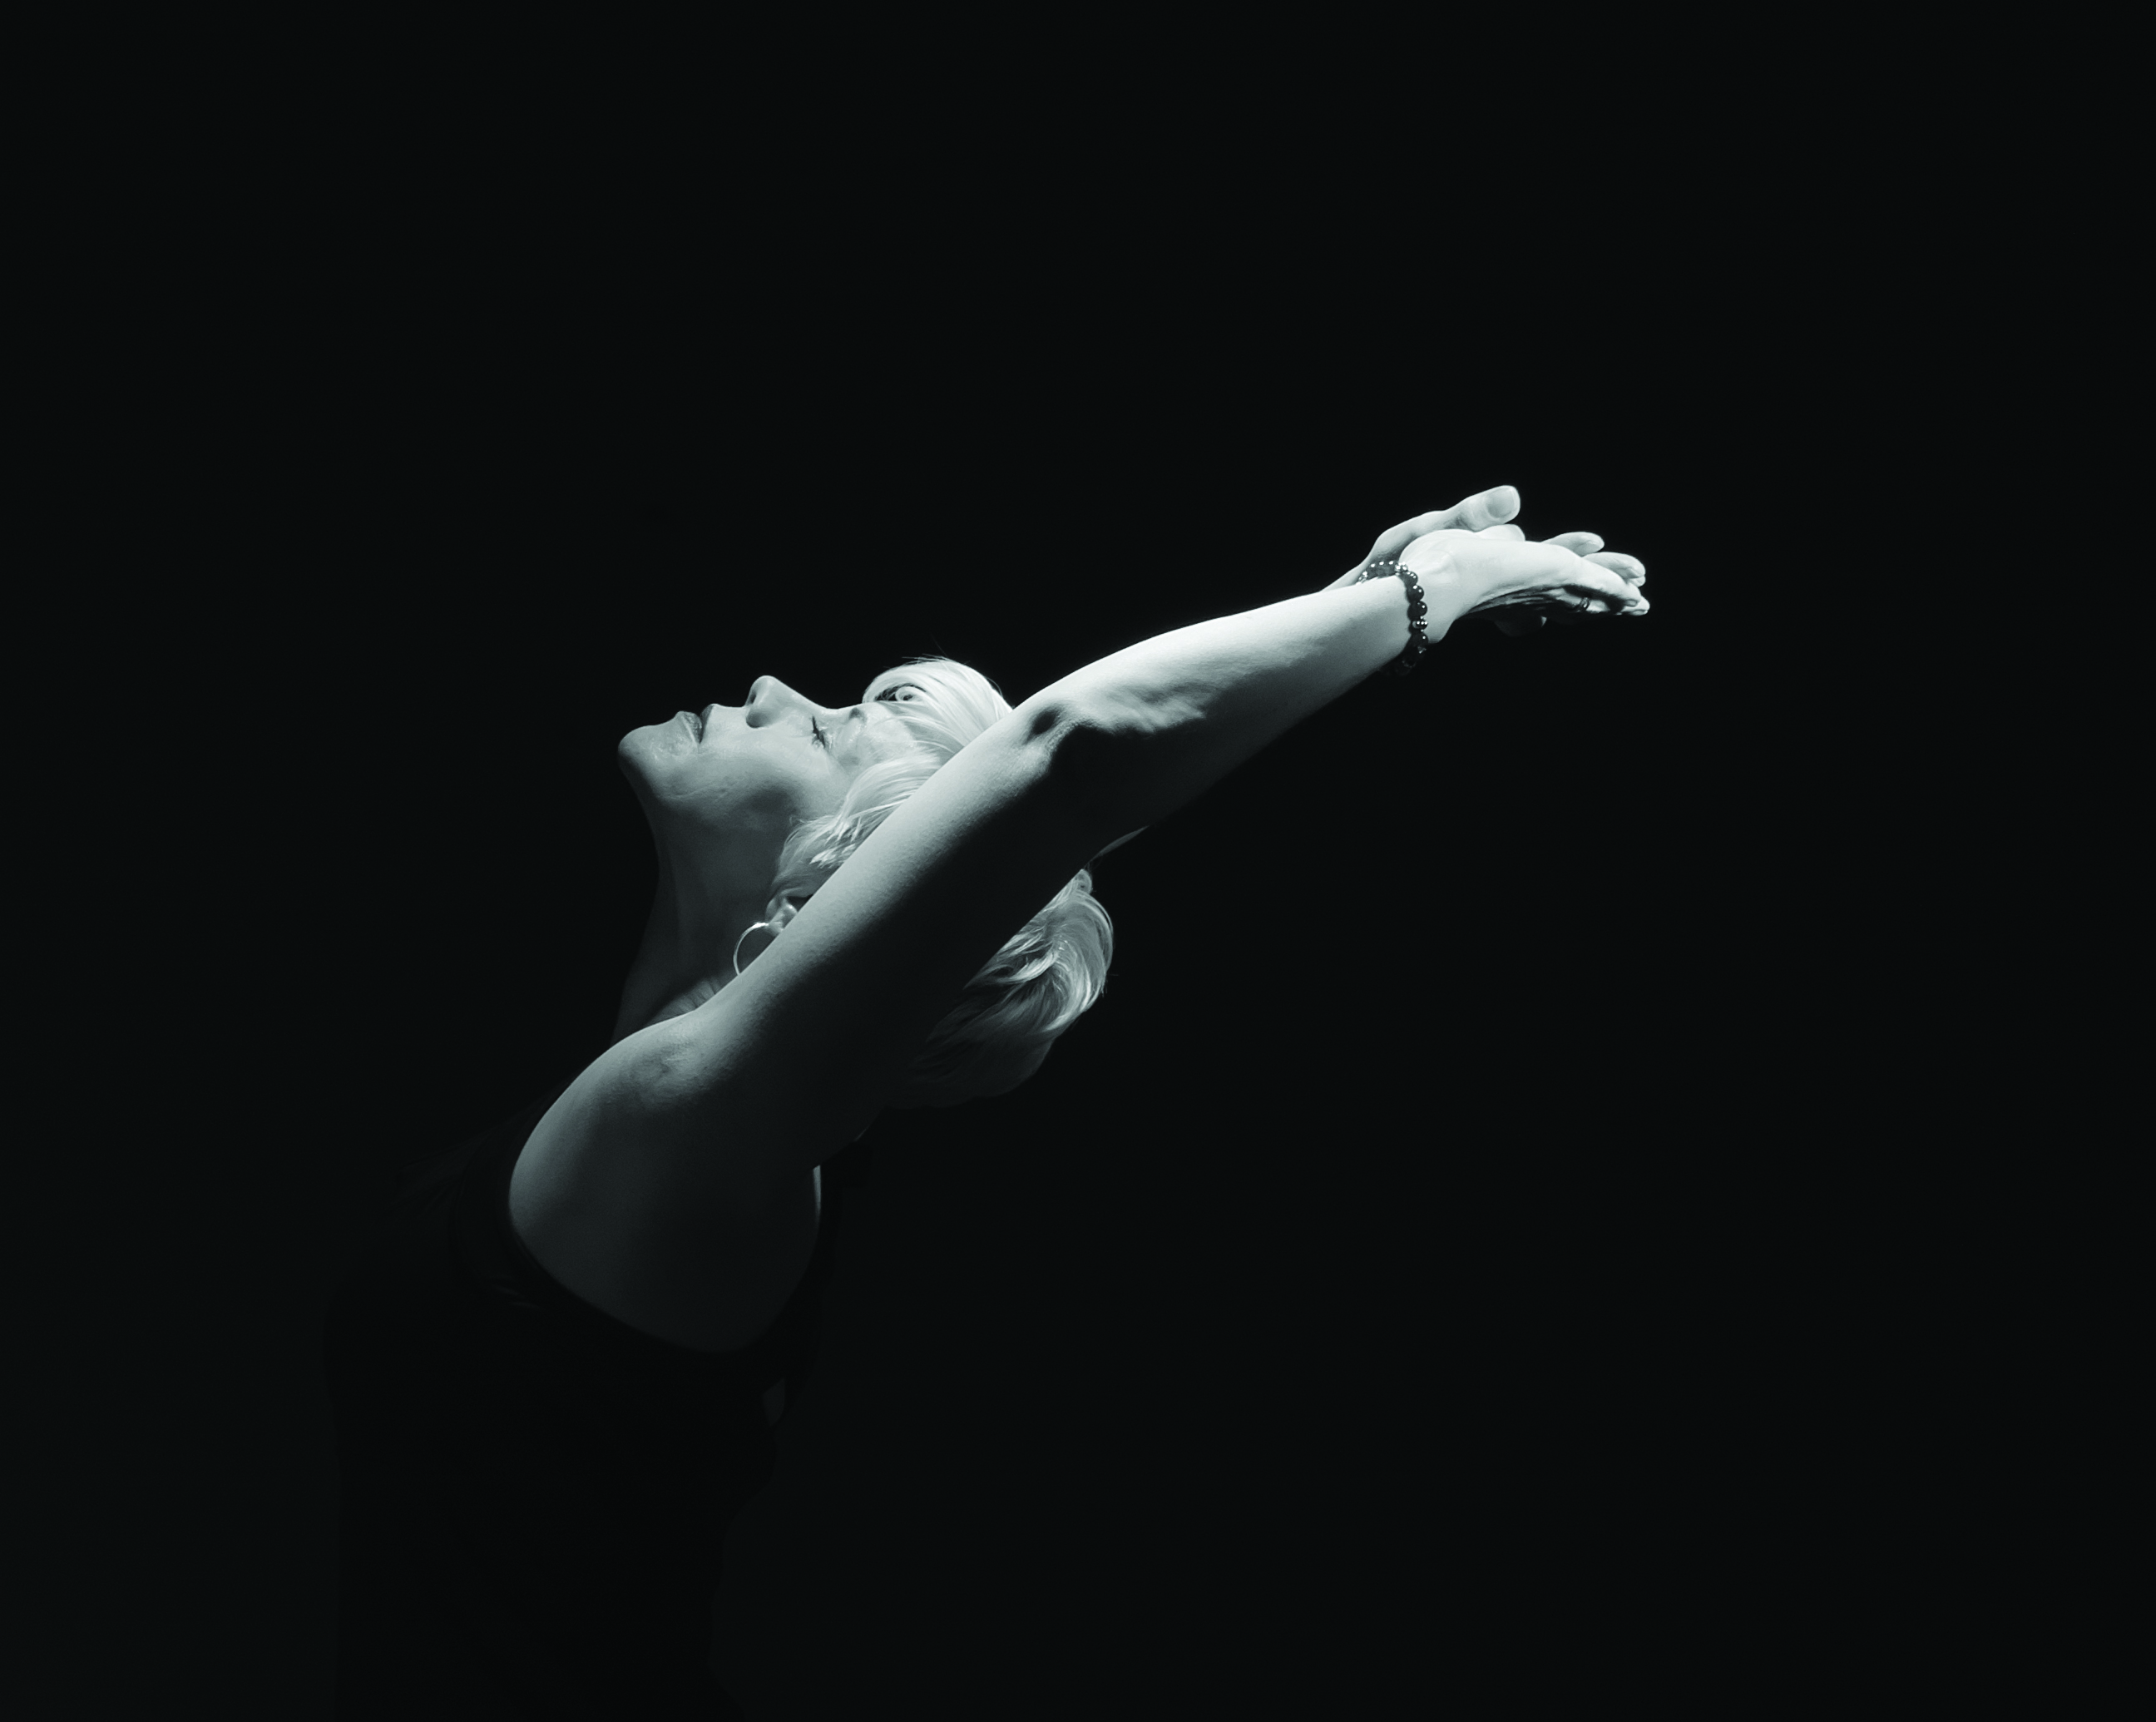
[790, 1061]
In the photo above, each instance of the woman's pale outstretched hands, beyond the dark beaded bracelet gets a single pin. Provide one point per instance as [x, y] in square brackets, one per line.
[1517, 589]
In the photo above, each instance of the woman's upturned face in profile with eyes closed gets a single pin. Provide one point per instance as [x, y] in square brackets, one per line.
[723, 788]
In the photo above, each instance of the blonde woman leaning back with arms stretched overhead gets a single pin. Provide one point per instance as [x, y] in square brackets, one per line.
[557, 1370]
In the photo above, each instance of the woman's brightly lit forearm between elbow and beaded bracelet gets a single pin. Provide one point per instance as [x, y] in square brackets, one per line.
[1178, 712]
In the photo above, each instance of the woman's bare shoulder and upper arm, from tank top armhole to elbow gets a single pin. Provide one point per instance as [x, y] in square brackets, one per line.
[676, 1178]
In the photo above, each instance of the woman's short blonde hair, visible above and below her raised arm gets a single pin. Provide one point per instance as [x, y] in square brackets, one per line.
[1045, 977]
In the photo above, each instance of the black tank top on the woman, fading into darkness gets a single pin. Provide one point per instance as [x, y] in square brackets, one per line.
[531, 1495]
